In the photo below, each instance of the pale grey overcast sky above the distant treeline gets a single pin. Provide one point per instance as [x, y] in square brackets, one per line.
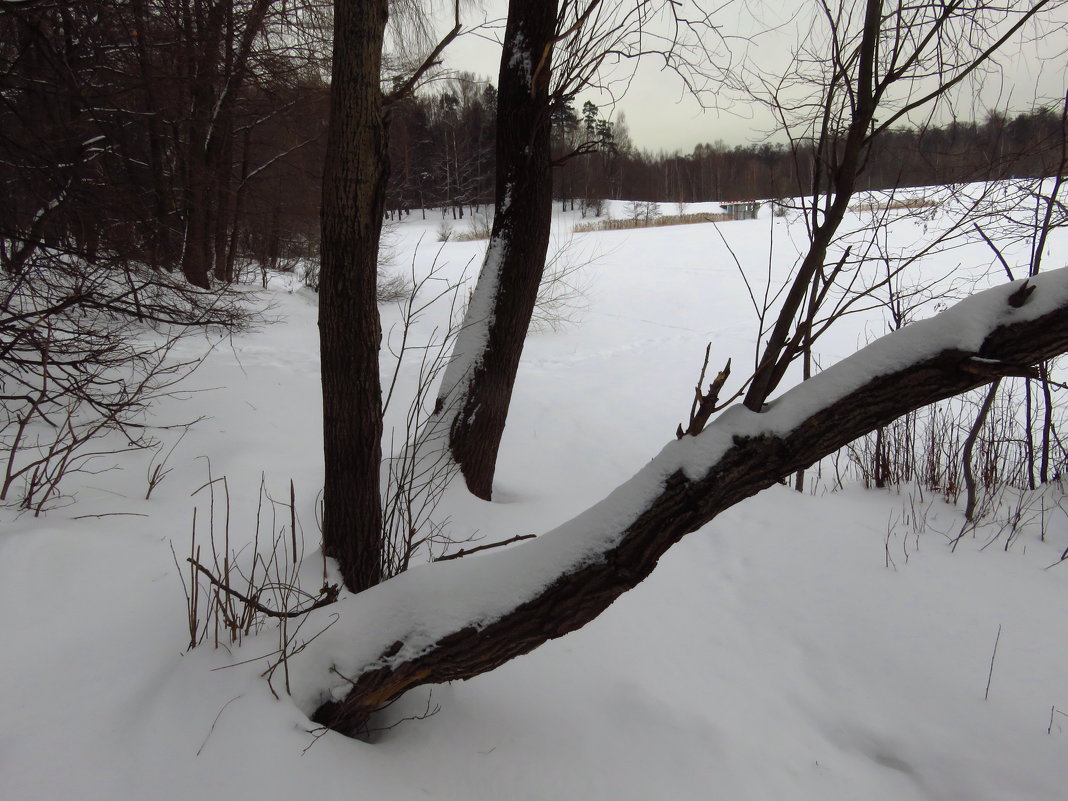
[661, 114]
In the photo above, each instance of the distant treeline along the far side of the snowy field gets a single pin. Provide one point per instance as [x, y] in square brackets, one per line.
[442, 150]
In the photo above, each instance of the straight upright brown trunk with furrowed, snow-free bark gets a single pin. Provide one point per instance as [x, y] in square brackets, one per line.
[354, 201]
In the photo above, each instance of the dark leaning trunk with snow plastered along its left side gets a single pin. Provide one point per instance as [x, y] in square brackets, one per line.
[478, 385]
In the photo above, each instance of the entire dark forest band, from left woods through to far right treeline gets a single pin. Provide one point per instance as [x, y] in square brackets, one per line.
[122, 135]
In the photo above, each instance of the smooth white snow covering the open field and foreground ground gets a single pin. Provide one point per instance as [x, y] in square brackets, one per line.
[802, 647]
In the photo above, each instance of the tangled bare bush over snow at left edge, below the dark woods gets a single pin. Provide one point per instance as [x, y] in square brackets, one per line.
[87, 349]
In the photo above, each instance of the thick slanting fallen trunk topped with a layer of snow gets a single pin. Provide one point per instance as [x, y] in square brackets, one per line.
[617, 544]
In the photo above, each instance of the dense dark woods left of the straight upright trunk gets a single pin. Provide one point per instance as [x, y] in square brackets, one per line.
[179, 135]
